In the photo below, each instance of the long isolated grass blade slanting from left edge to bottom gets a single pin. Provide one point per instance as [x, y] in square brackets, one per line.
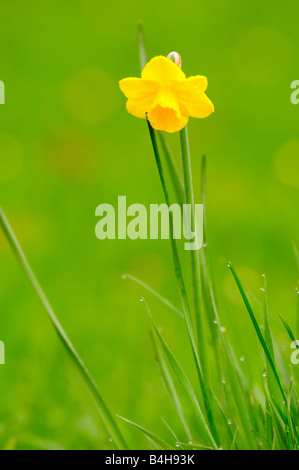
[92, 388]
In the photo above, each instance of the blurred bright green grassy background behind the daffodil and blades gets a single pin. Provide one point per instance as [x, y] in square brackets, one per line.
[67, 144]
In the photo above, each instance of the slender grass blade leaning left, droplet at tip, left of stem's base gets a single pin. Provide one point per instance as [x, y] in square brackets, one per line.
[183, 381]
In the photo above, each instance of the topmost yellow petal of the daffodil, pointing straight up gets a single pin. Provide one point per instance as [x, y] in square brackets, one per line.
[162, 70]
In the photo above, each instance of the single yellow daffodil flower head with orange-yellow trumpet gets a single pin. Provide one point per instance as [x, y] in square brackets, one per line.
[165, 96]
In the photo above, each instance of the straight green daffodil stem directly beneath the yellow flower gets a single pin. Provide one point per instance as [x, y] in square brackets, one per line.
[189, 199]
